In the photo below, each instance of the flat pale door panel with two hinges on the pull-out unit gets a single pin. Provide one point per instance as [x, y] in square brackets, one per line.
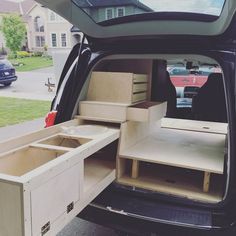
[52, 199]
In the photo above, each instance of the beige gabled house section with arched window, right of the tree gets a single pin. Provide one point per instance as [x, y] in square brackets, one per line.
[47, 29]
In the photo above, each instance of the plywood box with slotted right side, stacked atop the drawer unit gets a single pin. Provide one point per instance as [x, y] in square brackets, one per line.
[117, 87]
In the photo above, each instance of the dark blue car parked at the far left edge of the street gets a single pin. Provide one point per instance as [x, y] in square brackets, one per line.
[7, 72]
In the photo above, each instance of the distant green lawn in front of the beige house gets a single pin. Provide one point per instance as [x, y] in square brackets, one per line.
[32, 63]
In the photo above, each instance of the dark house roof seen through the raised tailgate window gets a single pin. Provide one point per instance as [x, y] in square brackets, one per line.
[110, 3]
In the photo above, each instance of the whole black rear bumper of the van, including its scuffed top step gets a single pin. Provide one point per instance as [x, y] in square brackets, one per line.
[142, 216]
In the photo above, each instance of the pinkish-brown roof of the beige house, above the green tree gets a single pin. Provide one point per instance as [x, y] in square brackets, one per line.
[20, 8]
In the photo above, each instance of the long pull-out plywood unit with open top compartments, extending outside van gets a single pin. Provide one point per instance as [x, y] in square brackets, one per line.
[48, 177]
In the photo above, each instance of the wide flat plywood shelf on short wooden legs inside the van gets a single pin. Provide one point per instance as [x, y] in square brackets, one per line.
[185, 149]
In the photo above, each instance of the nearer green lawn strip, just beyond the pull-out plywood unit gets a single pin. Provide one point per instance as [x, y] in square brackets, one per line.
[14, 110]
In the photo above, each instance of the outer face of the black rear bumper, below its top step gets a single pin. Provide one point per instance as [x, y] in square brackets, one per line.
[140, 226]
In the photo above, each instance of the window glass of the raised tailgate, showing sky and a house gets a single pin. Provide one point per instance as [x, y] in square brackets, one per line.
[104, 10]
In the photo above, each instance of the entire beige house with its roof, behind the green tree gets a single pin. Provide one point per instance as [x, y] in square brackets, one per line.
[45, 29]
